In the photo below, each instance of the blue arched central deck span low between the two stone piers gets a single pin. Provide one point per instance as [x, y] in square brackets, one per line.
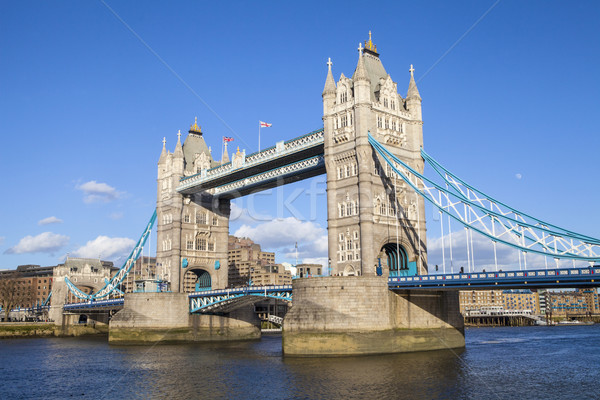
[225, 300]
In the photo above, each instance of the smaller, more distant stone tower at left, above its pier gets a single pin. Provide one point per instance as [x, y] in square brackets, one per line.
[192, 229]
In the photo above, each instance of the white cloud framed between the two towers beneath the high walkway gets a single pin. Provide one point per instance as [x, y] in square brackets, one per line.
[285, 233]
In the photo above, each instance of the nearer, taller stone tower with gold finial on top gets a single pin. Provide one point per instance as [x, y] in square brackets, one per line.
[373, 219]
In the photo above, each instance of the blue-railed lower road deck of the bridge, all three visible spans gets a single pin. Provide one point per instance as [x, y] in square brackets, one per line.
[226, 300]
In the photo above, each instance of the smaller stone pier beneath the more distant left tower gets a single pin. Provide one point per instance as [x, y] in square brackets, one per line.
[164, 317]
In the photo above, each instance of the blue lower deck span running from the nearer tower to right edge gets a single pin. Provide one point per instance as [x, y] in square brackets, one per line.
[543, 278]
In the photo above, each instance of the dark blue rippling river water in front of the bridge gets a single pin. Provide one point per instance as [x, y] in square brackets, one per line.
[498, 363]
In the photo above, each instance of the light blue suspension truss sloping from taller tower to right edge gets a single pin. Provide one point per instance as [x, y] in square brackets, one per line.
[481, 213]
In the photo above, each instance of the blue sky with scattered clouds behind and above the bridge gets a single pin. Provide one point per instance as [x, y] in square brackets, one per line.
[84, 104]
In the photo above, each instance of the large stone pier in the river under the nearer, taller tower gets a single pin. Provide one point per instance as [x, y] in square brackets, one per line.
[334, 316]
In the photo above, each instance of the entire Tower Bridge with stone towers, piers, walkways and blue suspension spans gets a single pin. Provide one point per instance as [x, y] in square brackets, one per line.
[380, 297]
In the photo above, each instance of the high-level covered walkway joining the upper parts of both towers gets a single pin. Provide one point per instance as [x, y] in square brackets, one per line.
[287, 161]
